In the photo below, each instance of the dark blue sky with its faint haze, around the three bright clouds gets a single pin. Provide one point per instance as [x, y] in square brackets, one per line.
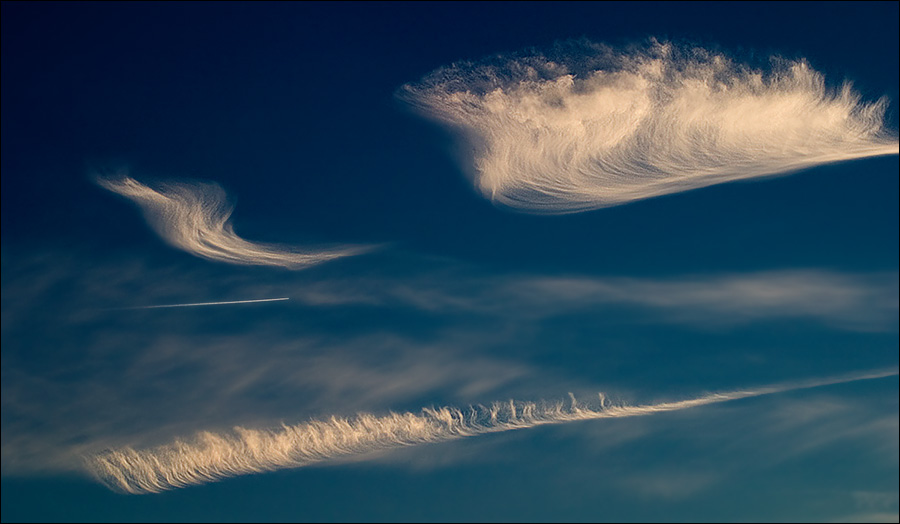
[292, 109]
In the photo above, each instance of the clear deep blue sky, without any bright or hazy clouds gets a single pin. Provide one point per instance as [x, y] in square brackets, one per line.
[291, 107]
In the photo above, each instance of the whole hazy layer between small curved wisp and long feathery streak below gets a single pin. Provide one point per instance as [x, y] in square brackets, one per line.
[81, 348]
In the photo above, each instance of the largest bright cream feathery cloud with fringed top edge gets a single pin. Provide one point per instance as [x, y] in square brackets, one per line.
[586, 126]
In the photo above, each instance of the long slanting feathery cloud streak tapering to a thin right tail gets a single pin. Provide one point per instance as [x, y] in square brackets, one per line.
[210, 456]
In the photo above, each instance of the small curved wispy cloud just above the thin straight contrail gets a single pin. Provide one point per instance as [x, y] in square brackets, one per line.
[195, 217]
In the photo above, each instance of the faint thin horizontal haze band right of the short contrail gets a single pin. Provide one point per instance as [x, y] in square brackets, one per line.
[847, 301]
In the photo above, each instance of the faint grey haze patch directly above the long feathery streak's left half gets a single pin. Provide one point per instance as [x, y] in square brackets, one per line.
[141, 388]
